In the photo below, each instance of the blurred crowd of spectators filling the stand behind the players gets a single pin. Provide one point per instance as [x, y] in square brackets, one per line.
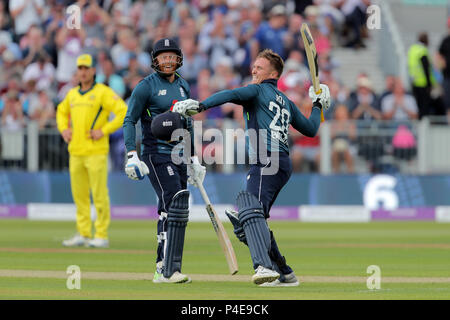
[219, 40]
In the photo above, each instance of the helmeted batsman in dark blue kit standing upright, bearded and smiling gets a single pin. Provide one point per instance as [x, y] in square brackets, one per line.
[150, 103]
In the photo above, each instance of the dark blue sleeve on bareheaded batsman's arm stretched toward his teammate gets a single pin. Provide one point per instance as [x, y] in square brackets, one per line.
[237, 96]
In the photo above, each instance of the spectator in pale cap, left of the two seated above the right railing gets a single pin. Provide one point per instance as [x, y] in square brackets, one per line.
[363, 102]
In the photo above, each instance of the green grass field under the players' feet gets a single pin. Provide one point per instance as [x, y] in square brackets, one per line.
[330, 259]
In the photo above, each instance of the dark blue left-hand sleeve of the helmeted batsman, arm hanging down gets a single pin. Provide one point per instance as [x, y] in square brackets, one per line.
[136, 105]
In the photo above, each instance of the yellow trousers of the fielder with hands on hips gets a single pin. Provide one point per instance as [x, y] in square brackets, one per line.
[90, 174]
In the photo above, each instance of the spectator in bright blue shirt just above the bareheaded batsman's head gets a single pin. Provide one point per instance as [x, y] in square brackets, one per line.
[271, 34]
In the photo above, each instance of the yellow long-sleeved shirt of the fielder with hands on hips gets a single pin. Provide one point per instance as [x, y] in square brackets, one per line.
[89, 110]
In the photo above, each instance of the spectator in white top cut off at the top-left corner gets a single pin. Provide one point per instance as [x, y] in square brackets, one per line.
[25, 13]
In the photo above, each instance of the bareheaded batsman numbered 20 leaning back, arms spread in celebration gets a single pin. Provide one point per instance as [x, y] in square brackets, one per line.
[268, 114]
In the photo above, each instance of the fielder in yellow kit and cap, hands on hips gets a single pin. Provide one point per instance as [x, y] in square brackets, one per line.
[82, 119]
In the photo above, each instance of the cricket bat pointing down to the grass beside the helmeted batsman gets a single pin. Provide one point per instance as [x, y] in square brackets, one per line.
[224, 241]
